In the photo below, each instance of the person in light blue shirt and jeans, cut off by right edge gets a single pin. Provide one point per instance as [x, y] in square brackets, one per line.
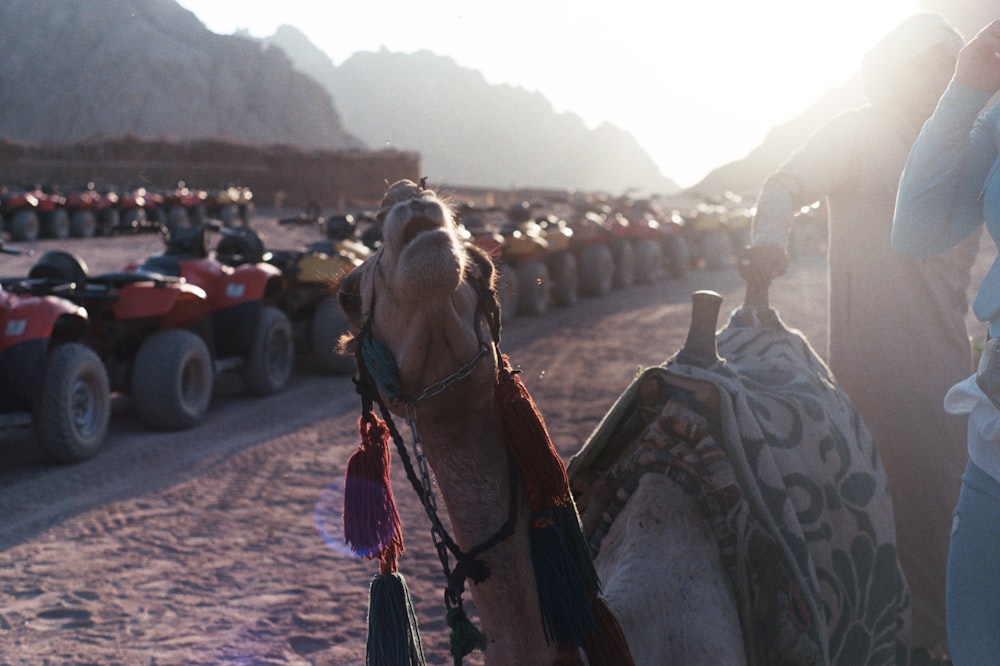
[950, 189]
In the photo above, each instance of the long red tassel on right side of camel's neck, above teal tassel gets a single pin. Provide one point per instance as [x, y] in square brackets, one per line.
[542, 470]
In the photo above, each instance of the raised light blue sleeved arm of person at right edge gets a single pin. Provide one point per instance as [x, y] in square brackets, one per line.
[939, 200]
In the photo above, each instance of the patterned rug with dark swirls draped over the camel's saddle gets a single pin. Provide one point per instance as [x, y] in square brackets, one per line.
[788, 478]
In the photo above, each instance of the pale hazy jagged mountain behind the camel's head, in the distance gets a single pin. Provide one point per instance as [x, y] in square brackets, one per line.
[470, 132]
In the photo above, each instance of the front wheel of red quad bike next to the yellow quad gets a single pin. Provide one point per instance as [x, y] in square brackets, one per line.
[272, 354]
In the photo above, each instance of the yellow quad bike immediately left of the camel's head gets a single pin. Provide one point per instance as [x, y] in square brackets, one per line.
[308, 289]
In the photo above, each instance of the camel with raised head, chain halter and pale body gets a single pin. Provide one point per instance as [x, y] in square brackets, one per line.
[424, 321]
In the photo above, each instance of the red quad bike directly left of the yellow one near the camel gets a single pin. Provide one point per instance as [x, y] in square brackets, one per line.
[249, 331]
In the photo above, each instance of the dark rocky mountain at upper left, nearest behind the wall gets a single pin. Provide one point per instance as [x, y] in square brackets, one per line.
[151, 69]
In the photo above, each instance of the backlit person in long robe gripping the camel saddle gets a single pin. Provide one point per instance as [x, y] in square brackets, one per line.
[897, 336]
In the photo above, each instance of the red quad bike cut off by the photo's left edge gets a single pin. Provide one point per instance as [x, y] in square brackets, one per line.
[48, 378]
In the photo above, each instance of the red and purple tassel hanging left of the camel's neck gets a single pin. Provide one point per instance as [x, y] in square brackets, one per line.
[371, 521]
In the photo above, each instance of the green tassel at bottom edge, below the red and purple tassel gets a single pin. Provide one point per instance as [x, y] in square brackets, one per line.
[393, 636]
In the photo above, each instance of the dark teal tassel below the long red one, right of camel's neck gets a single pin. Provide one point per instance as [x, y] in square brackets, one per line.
[562, 595]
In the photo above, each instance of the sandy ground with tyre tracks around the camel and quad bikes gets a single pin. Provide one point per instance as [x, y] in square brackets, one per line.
[220, 545]
